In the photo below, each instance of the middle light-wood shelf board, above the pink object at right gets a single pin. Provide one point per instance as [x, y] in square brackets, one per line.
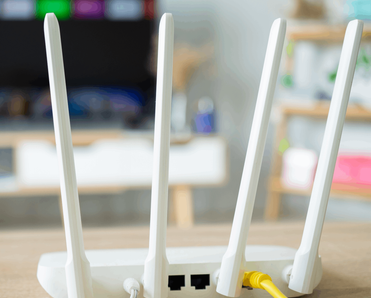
[320, 110]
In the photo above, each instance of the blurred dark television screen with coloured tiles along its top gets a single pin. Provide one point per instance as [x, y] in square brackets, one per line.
[106, 50]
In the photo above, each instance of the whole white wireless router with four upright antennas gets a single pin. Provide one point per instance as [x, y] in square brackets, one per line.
[158, 272]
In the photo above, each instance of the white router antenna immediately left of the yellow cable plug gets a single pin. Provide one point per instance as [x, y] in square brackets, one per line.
[233, 263]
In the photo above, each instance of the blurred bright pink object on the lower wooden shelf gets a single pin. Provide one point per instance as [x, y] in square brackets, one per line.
[353, 170]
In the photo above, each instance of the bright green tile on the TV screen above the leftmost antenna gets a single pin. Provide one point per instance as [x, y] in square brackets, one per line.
[61, 8]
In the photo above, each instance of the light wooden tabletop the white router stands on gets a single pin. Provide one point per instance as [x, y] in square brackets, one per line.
[345, 250]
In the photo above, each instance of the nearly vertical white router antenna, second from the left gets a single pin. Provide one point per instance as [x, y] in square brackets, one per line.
[155, 279]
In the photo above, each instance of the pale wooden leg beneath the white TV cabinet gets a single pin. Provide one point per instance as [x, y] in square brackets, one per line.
[183, 206]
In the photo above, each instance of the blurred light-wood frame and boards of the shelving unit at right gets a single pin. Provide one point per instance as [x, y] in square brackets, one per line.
[317, 33]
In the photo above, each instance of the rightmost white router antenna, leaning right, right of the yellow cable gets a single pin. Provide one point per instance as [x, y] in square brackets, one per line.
[303, 279]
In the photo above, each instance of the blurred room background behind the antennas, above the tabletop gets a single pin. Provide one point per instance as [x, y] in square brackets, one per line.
[110, 50]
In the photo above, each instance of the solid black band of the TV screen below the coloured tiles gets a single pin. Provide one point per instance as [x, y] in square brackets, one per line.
[95, 52]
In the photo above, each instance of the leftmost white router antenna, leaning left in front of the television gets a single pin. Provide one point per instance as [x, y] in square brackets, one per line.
[78, 276]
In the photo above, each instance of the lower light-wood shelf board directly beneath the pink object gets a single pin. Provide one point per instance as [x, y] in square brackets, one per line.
[337, 190]
